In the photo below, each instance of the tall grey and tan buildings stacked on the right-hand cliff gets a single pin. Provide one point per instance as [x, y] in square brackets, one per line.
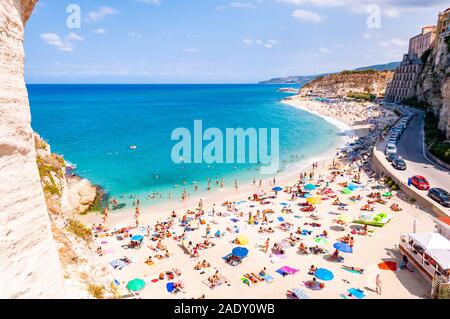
[404, 82]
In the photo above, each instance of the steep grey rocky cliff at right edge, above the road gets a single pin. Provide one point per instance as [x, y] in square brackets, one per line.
[433, 84]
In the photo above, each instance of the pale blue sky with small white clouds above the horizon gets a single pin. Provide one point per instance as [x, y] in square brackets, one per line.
[216, 41]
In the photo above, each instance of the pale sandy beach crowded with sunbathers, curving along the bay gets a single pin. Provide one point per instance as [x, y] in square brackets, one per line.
[371, 248]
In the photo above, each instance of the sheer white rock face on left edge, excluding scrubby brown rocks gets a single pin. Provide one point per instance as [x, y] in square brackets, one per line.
[29, 260]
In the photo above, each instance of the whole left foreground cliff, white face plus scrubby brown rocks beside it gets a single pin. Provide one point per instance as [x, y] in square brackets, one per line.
[44, 251]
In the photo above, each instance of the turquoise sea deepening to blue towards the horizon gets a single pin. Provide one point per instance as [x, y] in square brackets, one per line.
[93, 126]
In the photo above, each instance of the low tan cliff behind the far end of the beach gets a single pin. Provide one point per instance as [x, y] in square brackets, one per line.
[342, 84]
